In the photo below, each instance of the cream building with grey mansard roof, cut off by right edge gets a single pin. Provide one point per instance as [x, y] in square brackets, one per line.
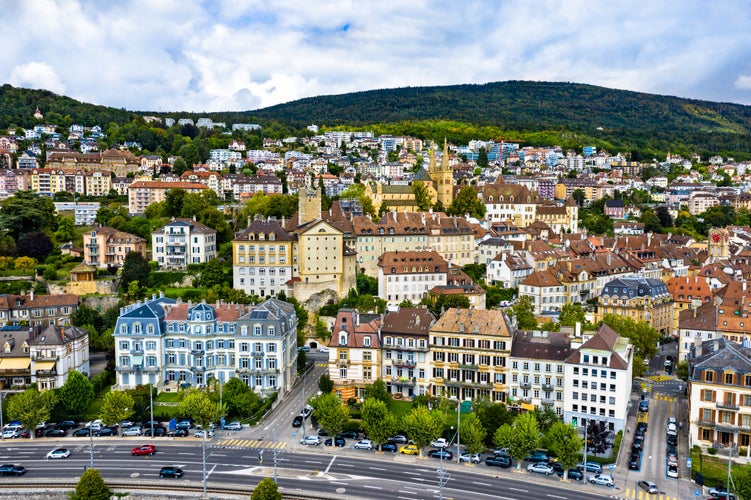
[719, 391]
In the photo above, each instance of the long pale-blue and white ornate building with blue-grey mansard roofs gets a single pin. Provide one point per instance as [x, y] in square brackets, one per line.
[164, 342]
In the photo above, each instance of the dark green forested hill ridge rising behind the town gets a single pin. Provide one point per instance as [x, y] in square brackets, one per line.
[536, 113]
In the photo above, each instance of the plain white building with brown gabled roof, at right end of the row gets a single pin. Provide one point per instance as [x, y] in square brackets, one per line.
[597, 378]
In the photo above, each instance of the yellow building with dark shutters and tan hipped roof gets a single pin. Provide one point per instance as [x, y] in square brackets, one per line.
[469, 355]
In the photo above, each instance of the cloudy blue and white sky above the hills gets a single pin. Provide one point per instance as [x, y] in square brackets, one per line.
[186, 55]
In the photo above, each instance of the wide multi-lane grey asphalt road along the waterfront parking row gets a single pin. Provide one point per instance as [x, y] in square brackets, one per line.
[365, 476]
